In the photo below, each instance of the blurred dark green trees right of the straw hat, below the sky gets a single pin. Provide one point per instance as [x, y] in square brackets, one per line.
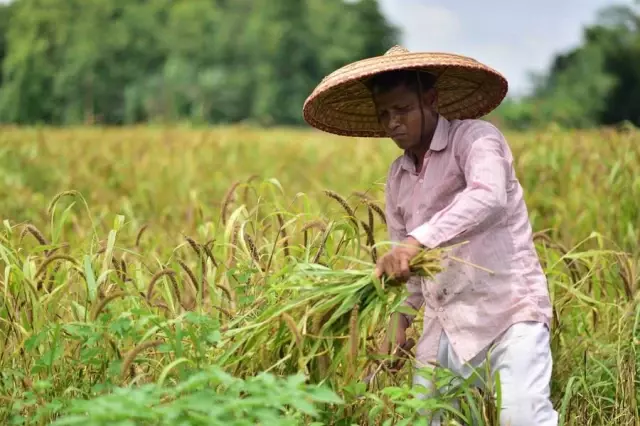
[597, 83]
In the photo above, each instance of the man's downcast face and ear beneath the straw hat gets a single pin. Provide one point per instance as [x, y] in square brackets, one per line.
[399, 114]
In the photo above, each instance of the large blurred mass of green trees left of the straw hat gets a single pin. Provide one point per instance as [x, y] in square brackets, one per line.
[126, 61]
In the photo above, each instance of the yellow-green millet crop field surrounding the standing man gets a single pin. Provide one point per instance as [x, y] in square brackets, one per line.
[224, 277]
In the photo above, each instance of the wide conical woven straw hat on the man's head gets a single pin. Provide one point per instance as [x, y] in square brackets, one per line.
[342, 104]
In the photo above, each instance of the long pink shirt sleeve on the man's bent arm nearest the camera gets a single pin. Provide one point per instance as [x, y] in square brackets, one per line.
[486, 170]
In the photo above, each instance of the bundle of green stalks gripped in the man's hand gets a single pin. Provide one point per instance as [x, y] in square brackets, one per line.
[317, 310]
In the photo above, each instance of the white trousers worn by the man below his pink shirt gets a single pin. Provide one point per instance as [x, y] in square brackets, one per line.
[522, 356]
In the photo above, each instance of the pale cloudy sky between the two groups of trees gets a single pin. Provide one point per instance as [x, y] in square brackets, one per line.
[512, 36]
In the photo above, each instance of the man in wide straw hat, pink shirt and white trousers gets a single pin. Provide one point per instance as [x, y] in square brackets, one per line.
[454, 184]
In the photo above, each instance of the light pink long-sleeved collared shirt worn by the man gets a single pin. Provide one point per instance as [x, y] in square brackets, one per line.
[467, 192]
